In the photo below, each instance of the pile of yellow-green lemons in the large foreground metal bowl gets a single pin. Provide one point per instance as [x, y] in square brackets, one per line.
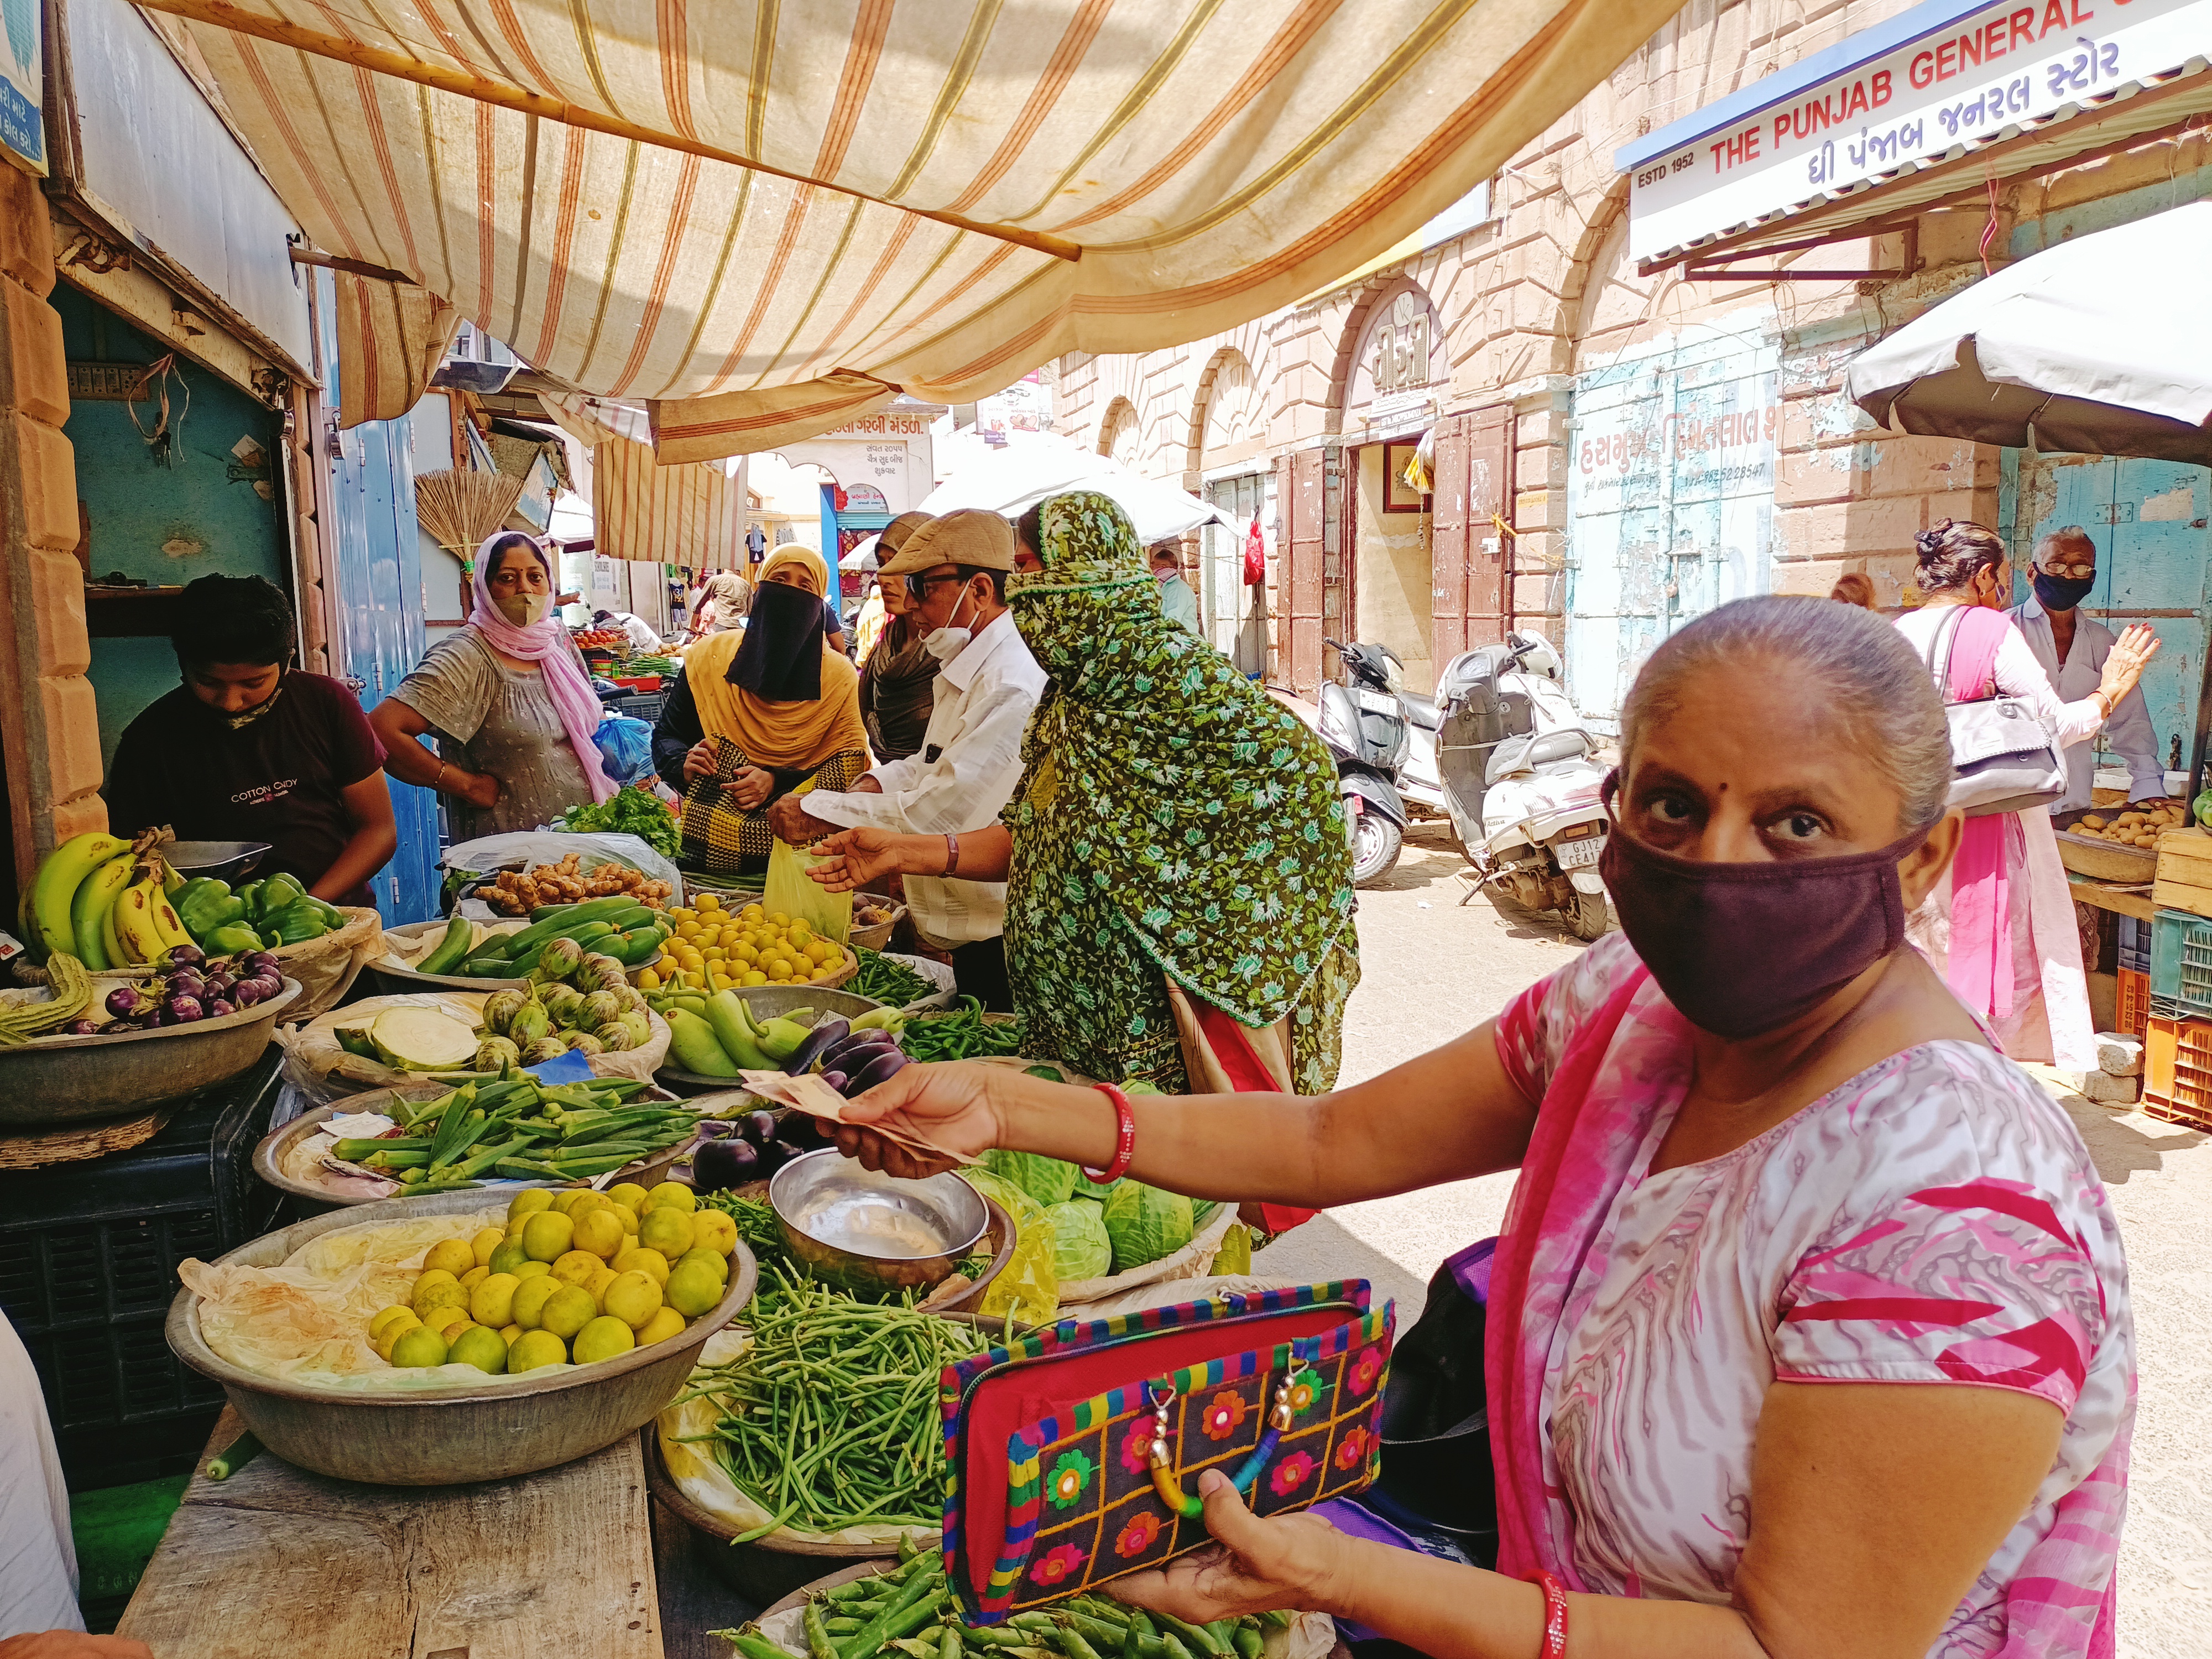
[574, 1277]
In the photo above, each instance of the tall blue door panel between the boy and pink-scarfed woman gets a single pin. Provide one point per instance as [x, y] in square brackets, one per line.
[377, 572]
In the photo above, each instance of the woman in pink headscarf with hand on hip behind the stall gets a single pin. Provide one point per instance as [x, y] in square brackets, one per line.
[510, 702]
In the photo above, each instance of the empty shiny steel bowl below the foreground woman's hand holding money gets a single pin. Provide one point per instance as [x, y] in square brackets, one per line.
[875, 1233]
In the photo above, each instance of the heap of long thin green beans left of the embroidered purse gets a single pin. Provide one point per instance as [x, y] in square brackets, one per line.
[831, 1419]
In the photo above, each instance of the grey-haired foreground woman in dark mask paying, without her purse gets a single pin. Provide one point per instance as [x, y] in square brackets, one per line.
[1808, 1331]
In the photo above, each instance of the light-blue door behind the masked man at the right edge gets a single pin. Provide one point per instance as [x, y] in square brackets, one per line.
[2149, 525]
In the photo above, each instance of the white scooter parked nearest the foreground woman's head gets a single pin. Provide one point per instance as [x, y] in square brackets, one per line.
[1523, 782]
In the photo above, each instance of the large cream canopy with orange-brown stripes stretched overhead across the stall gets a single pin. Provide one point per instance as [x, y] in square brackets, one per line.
[769, 220]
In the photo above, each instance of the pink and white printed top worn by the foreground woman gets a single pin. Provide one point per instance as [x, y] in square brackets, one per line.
[1934, 1220]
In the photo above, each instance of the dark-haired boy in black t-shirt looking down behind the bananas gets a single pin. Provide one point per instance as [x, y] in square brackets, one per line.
[251, 749]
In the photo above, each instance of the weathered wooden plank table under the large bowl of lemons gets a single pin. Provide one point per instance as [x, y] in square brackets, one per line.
[278, 1563]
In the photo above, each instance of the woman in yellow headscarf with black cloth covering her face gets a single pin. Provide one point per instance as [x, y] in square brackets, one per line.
[760, 713]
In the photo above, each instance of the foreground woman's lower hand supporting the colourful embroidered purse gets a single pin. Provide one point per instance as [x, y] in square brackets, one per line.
[1251, 1567]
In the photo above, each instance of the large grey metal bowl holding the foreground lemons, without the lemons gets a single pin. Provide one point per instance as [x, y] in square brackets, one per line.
[448, 1437]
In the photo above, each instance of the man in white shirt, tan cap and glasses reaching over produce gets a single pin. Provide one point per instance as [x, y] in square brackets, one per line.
[957, 572]
